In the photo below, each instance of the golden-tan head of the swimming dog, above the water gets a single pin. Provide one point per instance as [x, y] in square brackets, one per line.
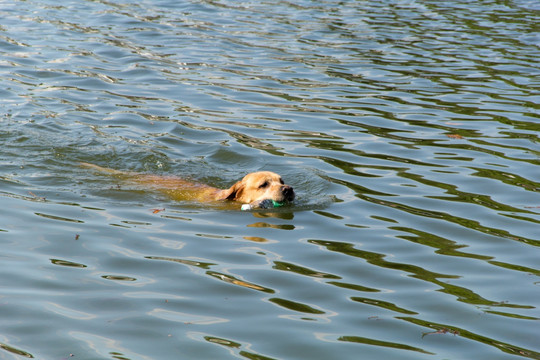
[259, 186]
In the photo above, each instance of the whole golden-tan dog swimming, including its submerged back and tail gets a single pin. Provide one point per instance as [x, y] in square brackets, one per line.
[253, 187]
